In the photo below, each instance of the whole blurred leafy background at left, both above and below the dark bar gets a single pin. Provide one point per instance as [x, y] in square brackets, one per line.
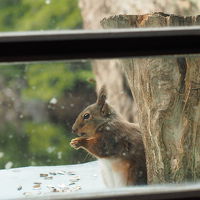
[40, 101]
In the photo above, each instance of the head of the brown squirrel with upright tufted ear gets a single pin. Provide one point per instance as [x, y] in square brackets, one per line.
[92, 117]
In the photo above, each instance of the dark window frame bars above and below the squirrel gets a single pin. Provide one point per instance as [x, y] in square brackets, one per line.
[116, 43]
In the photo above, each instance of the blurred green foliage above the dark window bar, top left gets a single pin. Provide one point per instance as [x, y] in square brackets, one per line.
[23, 15]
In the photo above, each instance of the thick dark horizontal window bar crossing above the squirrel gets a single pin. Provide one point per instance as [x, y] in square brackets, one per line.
[115, 43]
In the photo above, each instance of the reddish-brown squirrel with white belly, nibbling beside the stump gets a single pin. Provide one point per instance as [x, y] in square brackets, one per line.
[116, 143]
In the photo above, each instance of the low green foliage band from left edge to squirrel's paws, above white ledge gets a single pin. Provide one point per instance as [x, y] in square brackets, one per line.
[34, 144]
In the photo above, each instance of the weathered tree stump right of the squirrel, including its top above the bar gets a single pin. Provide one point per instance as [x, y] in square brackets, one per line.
[167, 94]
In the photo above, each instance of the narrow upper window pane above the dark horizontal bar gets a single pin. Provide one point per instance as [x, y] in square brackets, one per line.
[40, 15]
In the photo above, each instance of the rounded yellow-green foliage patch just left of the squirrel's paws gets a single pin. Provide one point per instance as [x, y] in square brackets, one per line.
[47, 141]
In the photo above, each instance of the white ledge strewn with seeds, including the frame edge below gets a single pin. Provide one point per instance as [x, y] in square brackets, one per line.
[19, 184]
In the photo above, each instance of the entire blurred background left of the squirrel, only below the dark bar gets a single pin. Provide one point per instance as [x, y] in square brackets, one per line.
[39, 103]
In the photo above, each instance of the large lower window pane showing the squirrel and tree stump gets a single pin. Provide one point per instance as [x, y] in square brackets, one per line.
[42, 123]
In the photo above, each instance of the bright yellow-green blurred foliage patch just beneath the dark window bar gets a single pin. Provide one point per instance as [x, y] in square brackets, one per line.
[54, 79]
